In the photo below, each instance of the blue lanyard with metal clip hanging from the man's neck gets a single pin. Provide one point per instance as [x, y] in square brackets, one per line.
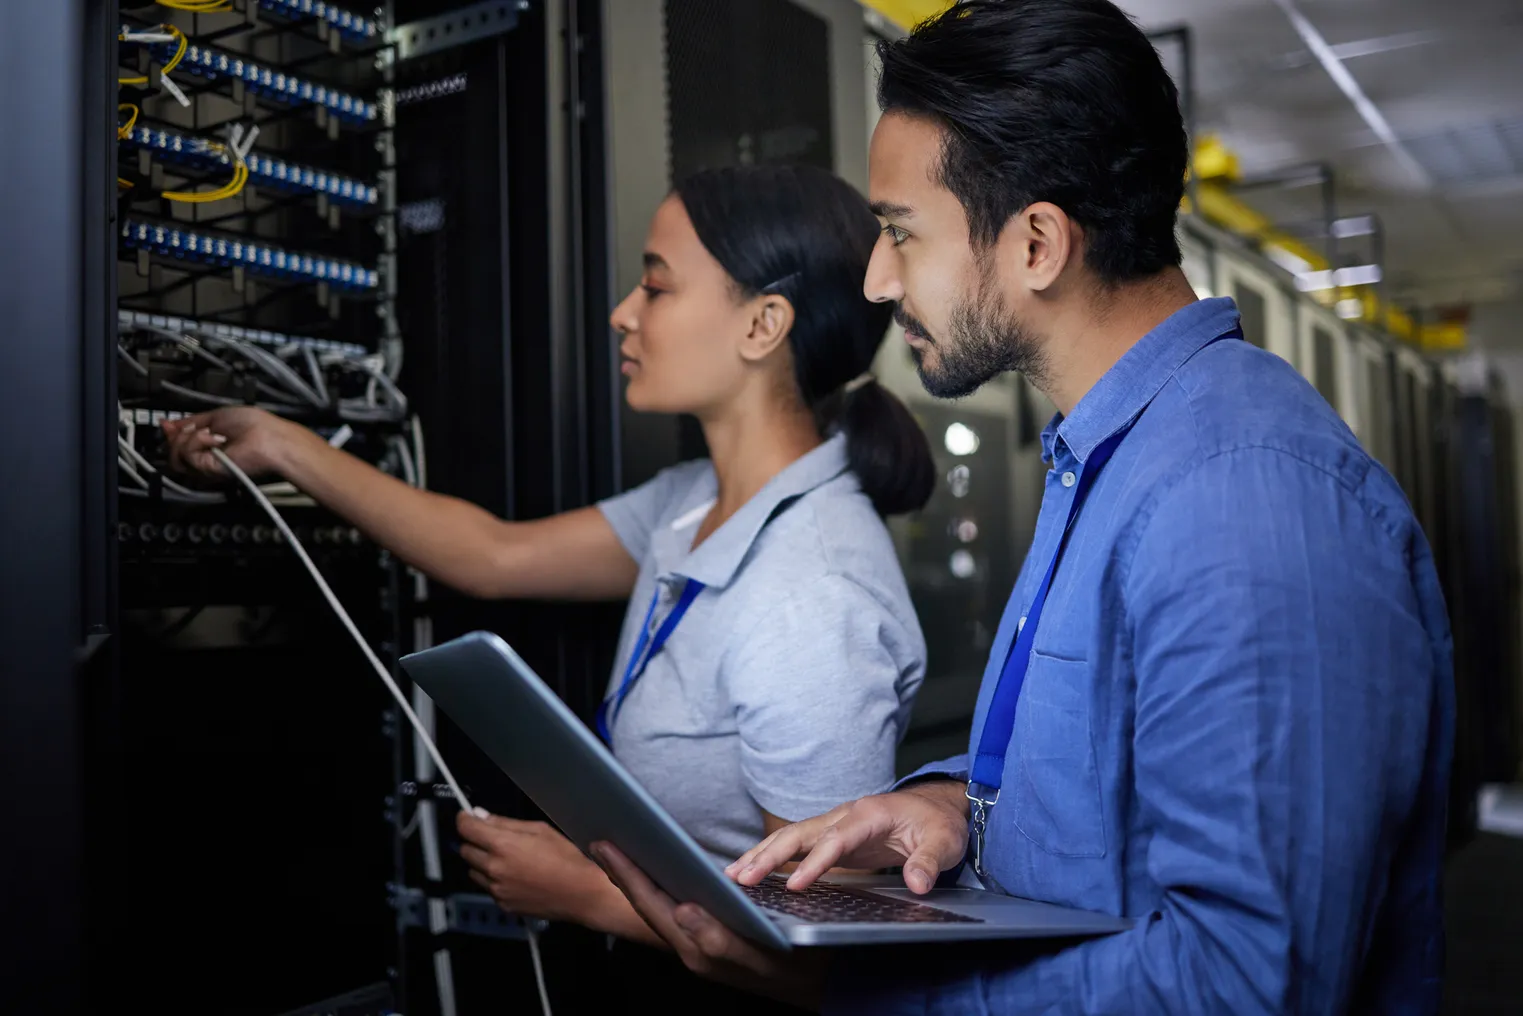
[1000, 723]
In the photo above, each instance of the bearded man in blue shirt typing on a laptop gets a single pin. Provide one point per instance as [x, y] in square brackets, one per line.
[1224, 704]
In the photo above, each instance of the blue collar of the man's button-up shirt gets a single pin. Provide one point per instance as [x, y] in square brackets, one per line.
[1141, 374]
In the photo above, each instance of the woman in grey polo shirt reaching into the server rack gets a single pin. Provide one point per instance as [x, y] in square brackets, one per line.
[785, 683]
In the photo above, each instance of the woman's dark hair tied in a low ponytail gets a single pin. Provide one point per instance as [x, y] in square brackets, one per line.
[808, 235]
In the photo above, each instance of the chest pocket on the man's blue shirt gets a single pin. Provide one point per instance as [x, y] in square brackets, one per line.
[1058, 804]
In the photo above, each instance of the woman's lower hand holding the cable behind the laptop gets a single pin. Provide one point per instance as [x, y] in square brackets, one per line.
[531, 869]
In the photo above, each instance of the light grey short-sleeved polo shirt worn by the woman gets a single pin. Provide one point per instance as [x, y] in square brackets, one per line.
[788, 683]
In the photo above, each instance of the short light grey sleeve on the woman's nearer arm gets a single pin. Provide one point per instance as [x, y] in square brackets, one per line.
[822, 689]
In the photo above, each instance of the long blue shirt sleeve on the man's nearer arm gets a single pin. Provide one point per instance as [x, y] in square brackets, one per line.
[1288, 704]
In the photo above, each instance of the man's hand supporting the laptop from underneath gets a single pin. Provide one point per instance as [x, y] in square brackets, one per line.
[710, 950]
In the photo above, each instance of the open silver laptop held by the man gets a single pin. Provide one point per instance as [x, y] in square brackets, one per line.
[503, 706]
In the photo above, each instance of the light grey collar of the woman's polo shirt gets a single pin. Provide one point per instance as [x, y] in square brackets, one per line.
[718, 558]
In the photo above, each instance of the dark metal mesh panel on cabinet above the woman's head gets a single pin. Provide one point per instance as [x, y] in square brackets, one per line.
[749, 81]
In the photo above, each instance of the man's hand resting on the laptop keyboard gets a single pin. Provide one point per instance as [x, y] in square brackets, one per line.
[924, 828]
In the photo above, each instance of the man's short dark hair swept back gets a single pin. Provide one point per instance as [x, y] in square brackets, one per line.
[1062, 101]
